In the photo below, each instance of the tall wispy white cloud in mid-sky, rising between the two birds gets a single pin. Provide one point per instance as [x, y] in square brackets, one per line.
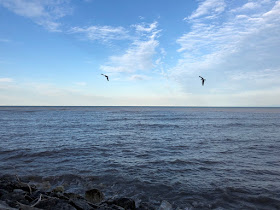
[140, 55]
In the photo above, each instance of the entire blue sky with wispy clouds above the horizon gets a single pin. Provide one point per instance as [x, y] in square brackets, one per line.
[53, 52]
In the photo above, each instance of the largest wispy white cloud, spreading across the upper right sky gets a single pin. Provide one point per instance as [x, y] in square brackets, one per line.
[239, 41]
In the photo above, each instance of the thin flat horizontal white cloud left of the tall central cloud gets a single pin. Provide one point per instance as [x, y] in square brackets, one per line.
[103, 33]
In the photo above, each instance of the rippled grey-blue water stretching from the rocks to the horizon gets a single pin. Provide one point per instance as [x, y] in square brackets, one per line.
[216, 158]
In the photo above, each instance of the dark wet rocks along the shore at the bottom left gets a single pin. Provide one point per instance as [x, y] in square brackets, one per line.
[16, 193]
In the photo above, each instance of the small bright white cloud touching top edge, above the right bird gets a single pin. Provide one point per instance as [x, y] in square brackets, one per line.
[208, 9]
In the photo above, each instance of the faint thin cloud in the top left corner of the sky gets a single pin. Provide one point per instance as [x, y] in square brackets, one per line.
[45, 13]
